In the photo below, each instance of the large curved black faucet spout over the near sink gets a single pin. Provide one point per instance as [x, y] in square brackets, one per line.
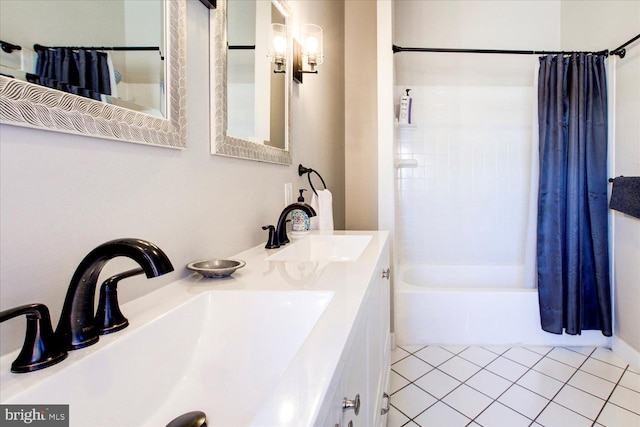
[77, 328]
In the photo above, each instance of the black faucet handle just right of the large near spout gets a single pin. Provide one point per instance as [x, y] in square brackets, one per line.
[109, 318]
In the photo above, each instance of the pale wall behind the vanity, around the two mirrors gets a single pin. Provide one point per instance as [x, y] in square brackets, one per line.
[62, 195]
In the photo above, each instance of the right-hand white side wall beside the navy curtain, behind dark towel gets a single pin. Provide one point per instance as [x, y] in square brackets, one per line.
[617, 22]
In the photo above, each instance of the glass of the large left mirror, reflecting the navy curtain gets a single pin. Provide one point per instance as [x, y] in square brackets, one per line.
[130, 67]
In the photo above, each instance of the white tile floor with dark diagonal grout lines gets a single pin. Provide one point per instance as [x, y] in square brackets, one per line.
[450, 386]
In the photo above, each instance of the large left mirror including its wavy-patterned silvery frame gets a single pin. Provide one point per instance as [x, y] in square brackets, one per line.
[128, 55]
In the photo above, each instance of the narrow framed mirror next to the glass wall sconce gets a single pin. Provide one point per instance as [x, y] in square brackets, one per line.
[251, 100]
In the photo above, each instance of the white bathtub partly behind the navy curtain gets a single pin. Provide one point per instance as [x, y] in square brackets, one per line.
[472, 305]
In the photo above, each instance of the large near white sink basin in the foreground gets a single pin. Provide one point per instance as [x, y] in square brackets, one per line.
[207, 354]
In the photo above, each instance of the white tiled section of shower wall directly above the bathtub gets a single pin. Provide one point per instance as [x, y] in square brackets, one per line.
[467, 200]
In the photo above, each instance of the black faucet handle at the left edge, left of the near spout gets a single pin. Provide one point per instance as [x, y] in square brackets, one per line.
[40, 348]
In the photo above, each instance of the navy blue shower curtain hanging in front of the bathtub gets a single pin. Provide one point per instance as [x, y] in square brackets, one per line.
[573, 253]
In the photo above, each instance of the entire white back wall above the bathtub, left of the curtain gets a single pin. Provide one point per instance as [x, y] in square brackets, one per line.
[466, 202]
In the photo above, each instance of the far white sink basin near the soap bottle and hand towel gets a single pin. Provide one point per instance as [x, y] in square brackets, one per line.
[323, 248]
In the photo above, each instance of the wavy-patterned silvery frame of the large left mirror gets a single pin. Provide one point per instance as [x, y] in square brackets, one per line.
[30, 105]
